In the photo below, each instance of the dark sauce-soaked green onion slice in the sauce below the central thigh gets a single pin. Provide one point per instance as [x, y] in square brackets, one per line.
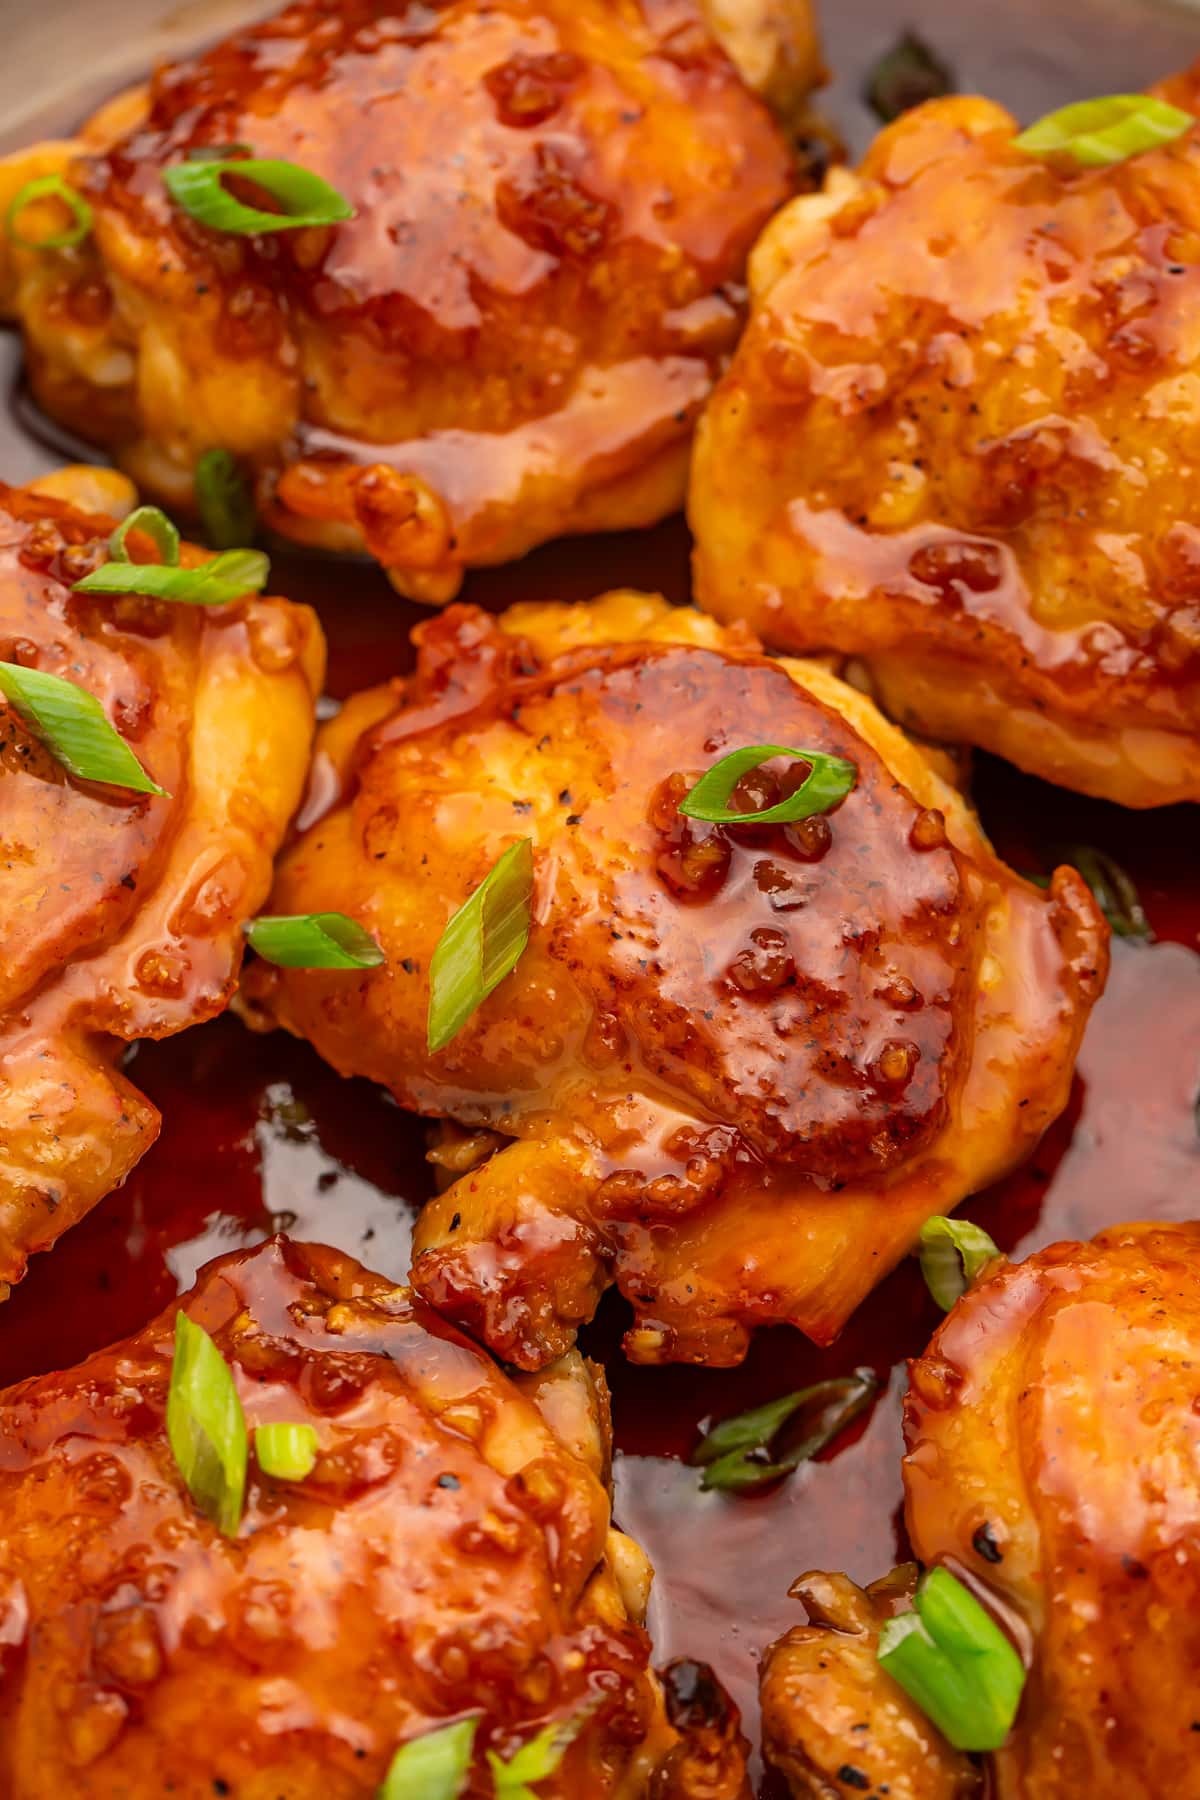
[737, 1455]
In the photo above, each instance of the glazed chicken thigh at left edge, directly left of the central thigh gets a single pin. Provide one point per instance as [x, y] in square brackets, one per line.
[120, 913]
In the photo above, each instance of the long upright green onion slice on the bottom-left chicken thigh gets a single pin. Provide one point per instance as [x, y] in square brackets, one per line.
[206, 1426]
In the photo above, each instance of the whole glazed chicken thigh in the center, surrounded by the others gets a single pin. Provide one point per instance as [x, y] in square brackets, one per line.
[740, 1066]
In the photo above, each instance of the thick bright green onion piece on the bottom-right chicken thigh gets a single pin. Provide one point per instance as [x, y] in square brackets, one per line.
[956, 1664]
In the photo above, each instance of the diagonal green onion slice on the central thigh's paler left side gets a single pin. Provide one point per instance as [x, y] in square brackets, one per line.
[481, 944]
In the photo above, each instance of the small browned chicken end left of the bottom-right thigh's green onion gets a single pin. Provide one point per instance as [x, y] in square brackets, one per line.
[834, 1723]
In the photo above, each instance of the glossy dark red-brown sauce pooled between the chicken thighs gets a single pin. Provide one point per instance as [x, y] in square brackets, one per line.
[260, 1135]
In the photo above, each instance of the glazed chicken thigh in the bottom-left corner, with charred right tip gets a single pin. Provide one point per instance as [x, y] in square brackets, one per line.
[451, 1554]
